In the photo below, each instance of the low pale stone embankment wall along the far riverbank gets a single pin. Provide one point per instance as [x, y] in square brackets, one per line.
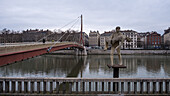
[123, 52]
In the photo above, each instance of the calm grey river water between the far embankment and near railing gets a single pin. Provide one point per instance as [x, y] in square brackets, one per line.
[91, 66]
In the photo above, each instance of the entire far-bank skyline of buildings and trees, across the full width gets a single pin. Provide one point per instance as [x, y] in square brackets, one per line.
[139, 40]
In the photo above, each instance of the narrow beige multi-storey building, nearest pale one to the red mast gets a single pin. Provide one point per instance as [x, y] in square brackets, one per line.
[94, 38]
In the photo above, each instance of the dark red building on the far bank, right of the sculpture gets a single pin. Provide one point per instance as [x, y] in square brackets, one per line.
[153, 40]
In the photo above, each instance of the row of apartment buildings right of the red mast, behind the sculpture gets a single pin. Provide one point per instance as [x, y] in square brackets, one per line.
[147, 40]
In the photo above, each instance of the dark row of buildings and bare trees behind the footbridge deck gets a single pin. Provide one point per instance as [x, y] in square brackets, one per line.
[36, 35]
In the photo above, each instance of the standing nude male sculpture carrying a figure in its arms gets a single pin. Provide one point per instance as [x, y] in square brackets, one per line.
[116, 41]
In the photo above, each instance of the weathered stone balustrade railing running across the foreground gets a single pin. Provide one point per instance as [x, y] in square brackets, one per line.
[83, 86]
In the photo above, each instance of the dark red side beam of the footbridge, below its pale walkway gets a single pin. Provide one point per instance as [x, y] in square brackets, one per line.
[18, 56]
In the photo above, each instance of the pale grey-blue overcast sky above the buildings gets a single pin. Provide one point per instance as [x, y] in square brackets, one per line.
[102, 15]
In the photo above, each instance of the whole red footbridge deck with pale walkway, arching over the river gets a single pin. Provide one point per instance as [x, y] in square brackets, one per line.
[25, 52]
